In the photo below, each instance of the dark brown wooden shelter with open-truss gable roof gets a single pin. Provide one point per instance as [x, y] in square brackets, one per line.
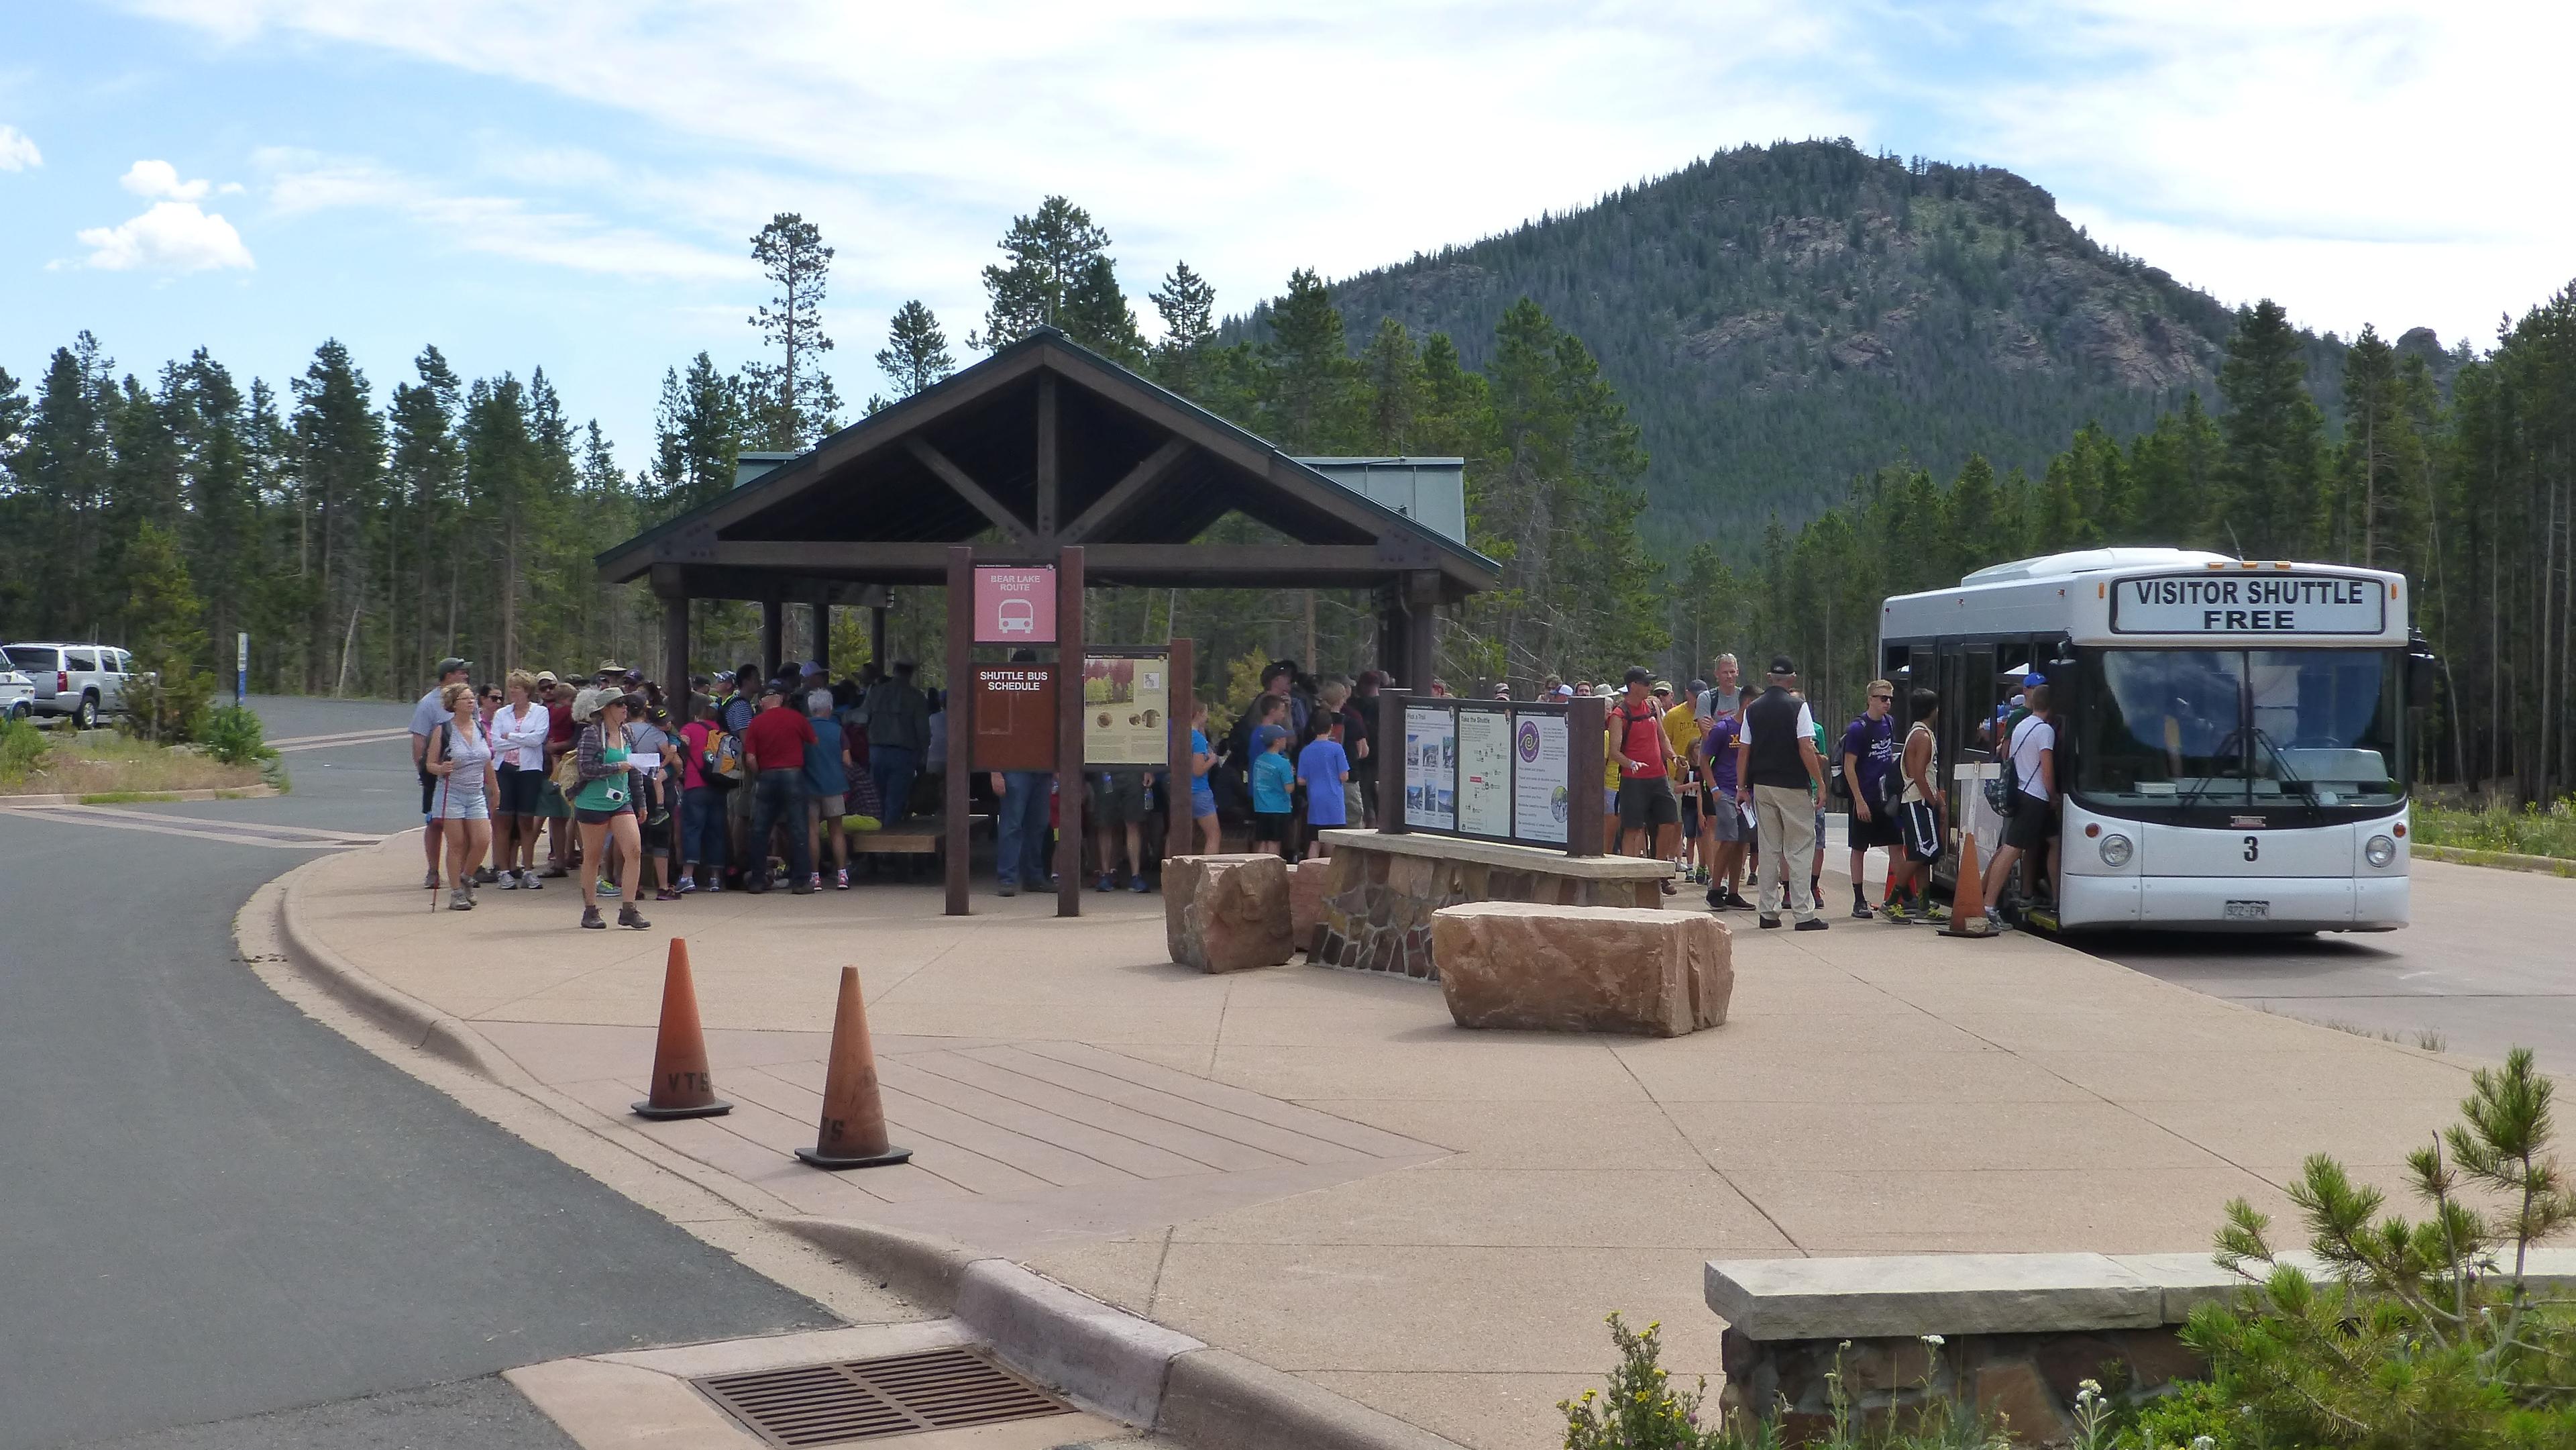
[1042, 455]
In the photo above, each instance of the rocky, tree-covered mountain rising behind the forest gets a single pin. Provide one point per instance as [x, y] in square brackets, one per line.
[1786, 318]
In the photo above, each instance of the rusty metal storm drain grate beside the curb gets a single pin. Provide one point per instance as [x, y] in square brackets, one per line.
[872, 1400]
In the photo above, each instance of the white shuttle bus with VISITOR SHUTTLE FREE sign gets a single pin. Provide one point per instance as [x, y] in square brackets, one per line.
[2235, 738]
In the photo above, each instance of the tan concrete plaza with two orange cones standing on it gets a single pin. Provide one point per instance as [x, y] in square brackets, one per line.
[1328, 1176]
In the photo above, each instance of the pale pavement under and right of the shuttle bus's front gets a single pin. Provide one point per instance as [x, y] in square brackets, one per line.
[2485, 967]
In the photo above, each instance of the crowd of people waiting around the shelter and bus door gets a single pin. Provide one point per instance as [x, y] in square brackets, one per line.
[759, 782]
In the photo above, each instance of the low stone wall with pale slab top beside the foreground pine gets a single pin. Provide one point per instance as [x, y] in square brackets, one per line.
[2018, 1330]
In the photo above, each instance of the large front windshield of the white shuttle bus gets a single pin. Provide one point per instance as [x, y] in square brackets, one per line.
[2242, 728]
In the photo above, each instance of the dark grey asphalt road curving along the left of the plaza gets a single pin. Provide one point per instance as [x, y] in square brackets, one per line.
[228, 1227]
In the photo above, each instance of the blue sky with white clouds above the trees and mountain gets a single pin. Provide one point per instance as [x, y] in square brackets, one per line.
[573, 184]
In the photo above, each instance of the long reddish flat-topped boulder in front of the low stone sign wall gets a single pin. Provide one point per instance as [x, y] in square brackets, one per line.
[1583, 970]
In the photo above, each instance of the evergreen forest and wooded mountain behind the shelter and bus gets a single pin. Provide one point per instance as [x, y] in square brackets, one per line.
[1758, 434]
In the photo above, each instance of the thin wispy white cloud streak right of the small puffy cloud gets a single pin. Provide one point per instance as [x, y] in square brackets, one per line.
[496, 225]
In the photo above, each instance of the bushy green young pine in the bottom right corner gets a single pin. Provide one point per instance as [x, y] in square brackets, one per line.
[2425, 1330]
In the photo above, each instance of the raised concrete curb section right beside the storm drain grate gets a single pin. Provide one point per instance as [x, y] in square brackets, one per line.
[1106, 1359]
